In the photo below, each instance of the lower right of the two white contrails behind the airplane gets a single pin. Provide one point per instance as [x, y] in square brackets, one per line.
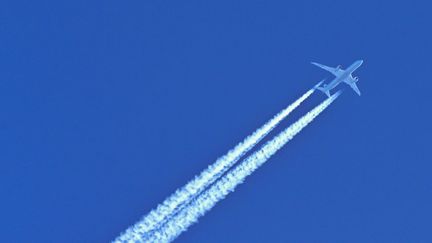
[203, 203]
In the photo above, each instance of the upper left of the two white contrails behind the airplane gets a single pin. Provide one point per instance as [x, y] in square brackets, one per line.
[184, 195]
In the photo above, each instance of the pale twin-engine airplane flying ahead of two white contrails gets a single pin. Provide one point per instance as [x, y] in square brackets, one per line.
[341, 76]
